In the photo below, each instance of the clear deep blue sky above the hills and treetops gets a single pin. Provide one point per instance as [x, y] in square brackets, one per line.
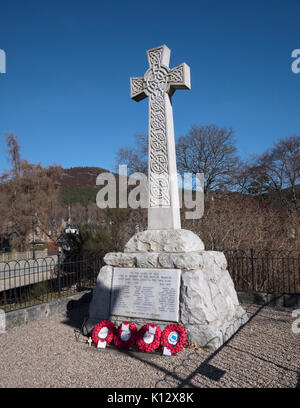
[66, 91]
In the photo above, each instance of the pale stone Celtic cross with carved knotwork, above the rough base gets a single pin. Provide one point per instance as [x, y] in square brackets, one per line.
[159, 83]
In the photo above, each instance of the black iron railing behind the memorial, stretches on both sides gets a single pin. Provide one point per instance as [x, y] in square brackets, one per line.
[25, 283]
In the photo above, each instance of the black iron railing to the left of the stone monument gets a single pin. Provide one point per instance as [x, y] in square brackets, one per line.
[26, 283]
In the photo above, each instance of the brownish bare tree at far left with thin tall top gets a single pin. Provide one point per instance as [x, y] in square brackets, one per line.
[28, 197]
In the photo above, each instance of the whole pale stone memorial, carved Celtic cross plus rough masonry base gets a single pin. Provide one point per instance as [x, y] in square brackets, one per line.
[207, 302]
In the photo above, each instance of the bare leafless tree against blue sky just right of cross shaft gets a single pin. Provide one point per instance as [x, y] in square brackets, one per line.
[210, 150]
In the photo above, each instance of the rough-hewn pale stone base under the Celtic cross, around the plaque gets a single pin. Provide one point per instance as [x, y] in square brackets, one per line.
[209, 308]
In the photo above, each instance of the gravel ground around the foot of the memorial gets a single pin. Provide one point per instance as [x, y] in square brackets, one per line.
[46, 353]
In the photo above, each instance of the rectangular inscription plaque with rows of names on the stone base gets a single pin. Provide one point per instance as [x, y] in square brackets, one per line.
[146, 293]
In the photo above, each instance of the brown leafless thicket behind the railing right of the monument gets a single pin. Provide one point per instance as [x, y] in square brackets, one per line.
[239, 221]
